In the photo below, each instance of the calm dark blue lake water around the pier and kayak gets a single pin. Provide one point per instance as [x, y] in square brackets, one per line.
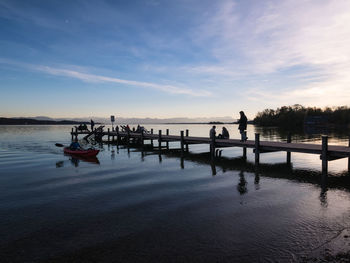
[133, 206]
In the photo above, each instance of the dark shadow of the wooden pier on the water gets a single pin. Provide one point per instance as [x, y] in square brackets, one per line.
[242, 165]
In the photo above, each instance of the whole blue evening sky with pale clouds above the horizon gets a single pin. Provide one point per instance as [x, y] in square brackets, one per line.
[165, 59]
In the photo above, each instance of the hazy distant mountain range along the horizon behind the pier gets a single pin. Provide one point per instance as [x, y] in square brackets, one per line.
[129, 120]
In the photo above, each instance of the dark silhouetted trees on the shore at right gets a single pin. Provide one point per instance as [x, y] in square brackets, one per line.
[297, 116]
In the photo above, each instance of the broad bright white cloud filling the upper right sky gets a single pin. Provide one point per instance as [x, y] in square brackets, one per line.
[270, 38]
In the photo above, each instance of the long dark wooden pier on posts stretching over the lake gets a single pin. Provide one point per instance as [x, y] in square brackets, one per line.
[326, 152]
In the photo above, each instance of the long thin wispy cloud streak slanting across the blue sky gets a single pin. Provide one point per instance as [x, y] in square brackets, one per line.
[87, 77]
